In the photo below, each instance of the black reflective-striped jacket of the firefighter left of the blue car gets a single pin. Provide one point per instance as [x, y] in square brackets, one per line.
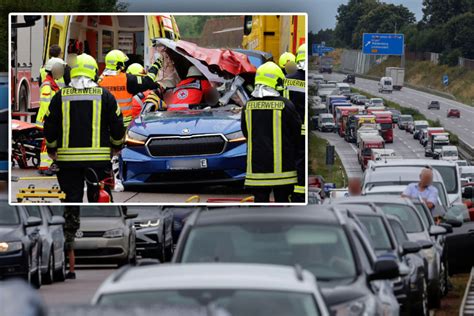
[82, 126]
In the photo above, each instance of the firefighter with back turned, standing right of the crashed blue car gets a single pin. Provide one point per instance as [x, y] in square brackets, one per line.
[271, 125]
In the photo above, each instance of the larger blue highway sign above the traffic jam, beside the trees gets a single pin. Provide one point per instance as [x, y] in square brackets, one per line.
[383, 44]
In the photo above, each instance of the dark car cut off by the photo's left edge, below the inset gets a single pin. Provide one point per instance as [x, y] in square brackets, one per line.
[20, 244]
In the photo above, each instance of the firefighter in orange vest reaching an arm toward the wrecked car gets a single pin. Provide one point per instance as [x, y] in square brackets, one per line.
[124, 86]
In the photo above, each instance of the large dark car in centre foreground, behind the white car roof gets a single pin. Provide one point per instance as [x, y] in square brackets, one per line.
[320, 239]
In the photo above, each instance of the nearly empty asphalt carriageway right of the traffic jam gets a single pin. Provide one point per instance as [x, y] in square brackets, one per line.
[407, 97]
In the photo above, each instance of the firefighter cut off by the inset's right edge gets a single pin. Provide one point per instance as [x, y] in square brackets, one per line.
[295, 85]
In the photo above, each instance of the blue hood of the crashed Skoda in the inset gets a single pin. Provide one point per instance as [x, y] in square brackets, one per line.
[184, 123]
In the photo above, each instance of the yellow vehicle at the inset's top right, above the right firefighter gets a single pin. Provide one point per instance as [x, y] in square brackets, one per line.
[274, 34]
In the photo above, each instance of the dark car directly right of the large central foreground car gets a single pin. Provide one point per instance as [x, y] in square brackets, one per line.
[411, 288]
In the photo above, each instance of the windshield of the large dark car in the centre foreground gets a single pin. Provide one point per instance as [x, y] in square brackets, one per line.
[322, 249]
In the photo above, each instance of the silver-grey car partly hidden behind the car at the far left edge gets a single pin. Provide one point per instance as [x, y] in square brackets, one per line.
[53, 261]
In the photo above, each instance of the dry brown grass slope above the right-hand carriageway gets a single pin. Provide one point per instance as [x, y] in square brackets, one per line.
[426, 74]
